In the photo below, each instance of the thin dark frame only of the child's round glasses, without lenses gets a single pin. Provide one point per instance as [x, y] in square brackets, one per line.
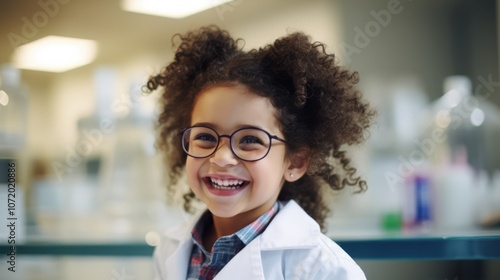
[230, 137]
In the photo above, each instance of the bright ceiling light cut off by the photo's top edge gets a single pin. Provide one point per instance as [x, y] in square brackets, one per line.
[170, 8]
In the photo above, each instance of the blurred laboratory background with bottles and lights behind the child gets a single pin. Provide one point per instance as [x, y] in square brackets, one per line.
[82, 135]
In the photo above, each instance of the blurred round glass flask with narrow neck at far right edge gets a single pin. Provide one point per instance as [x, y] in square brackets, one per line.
[461, 120]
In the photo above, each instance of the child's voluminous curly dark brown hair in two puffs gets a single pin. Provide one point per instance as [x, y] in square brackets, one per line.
[318, 106]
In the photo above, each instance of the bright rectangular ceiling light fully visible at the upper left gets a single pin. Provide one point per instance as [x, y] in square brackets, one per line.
[55, 54]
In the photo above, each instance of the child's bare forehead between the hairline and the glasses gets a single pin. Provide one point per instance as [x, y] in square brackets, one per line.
[229, 107]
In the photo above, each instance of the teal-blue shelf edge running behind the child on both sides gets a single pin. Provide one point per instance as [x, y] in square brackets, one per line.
[482, 247]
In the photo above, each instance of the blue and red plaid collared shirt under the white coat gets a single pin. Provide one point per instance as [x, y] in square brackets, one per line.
[205, 265]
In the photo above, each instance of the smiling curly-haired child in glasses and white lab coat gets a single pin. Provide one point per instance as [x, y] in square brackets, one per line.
[259, 134]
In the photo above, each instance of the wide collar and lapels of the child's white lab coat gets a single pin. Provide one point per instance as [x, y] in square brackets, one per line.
[281, 234]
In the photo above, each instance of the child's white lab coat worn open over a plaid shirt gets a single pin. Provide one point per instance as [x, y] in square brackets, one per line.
[291, 247]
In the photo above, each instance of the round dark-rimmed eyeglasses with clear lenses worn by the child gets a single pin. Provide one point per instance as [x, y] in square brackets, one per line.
[248, 144]
